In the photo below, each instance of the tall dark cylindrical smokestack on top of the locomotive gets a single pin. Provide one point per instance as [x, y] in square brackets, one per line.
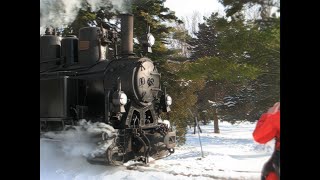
[126, 34]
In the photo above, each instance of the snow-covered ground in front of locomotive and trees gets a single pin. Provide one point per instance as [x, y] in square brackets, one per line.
[232, 154]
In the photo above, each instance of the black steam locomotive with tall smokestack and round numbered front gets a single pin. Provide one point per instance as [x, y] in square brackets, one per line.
[78, 81]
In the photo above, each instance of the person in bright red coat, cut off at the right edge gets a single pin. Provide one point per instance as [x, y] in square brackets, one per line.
[268, 128]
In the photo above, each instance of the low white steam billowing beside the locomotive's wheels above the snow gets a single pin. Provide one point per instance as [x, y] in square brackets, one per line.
[85, 140]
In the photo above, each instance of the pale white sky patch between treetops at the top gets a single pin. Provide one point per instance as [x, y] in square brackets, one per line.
[185, 8]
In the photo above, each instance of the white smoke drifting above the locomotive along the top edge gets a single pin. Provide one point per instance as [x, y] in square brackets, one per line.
[60, 13]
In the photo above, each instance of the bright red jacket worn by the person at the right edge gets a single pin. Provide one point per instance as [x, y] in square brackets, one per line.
[267, 128]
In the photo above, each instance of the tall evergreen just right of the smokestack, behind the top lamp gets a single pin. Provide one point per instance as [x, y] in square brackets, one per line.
[153, 14]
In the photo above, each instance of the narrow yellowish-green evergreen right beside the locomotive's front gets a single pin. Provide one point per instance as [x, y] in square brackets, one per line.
[183, 92]
